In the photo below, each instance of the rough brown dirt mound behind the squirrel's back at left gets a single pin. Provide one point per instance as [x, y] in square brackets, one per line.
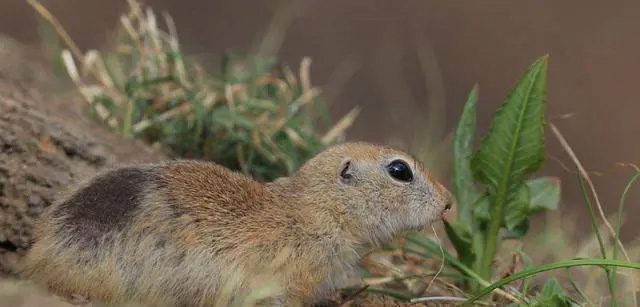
[46, 144]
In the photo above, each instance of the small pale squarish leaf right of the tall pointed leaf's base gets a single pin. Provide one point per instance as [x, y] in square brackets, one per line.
[545, 194]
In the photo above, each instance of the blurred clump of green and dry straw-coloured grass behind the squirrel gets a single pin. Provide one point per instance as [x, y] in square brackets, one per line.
[253, 114]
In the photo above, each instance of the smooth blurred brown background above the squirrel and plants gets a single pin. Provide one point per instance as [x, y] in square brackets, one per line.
[410, 65]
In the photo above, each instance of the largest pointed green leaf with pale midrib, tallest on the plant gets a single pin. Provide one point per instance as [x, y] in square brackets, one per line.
[514, 145]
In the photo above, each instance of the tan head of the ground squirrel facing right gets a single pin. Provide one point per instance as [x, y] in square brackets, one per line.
[374, 192]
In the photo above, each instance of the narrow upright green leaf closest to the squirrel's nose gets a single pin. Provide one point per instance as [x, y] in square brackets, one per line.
[465, 190]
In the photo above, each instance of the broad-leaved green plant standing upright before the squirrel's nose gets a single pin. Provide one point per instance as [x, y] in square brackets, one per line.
[512, 149]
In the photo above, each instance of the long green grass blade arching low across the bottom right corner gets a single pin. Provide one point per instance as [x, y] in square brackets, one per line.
[549, 267]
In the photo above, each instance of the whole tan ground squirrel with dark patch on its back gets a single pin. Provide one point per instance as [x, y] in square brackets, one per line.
[187, 233]
